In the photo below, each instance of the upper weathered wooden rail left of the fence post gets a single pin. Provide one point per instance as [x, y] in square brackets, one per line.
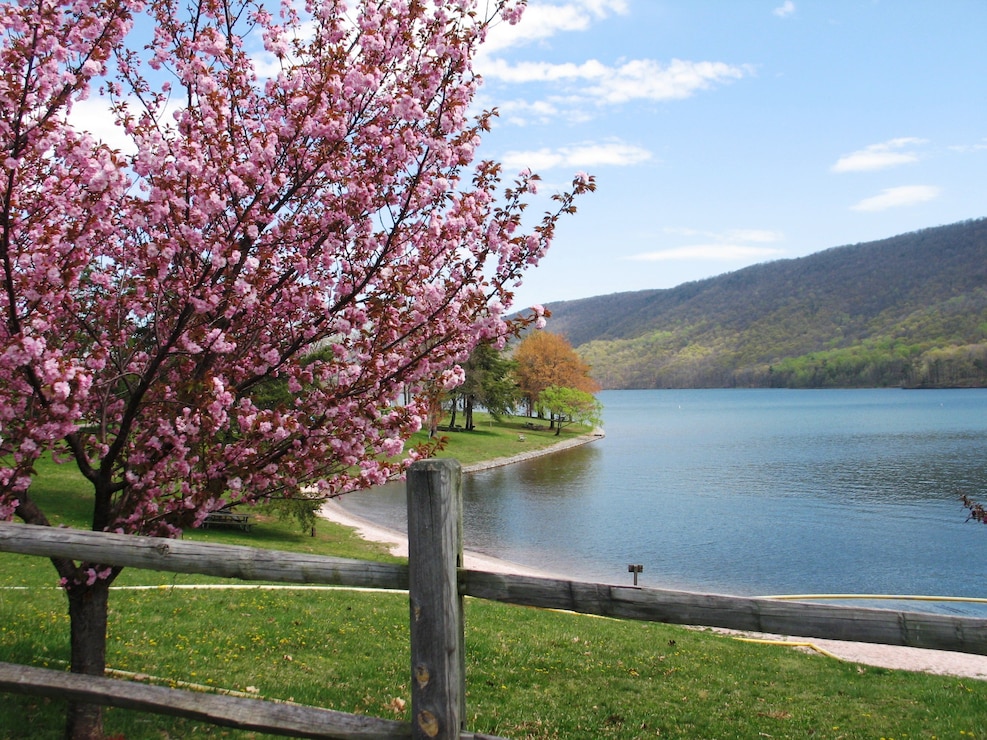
[207, 558]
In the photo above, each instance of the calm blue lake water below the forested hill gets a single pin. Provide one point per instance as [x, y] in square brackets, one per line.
[749, 492]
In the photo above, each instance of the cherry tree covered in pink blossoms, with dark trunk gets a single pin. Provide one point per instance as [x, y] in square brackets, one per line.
[297, 198]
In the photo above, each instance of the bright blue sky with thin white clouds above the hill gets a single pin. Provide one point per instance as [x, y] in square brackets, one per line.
[725, 133]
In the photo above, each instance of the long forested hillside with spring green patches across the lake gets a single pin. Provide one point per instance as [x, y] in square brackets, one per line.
[910, 310]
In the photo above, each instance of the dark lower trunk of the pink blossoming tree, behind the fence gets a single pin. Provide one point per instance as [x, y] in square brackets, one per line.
[88, 615]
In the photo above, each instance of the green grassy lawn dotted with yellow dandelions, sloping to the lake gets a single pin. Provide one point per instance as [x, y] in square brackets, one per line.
[530, 673]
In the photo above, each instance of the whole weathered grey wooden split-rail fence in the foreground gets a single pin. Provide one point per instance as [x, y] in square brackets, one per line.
[436, 583]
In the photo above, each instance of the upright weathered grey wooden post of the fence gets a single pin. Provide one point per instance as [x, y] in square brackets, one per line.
[435, 551]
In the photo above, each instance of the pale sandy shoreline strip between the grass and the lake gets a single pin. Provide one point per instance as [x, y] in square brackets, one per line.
[884, 656]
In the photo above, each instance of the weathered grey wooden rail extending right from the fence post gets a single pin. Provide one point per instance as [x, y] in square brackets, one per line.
[884, 626]
